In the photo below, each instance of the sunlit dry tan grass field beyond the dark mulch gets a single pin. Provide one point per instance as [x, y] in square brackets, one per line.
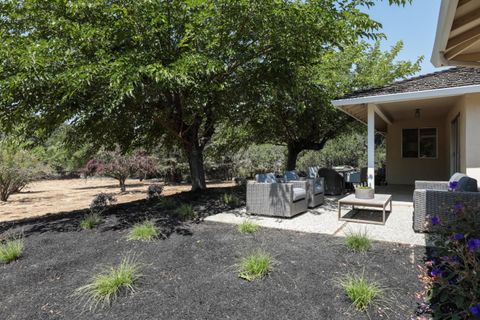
[54, 196]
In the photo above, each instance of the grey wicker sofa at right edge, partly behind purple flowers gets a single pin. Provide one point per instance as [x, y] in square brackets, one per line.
[436, 197]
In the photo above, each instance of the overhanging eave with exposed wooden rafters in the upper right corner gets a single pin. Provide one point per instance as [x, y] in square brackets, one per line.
[458, 34]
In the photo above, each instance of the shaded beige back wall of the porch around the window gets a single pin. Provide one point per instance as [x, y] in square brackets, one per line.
[407, 170]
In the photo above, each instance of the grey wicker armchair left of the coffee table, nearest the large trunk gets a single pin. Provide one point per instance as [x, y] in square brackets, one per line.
[267, 196]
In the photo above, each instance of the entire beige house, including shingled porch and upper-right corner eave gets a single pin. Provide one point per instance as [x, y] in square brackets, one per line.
[431, 122]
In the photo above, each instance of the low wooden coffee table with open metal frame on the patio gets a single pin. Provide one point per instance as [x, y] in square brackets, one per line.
[379, 201]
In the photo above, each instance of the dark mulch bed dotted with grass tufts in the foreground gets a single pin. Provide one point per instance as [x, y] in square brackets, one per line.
[192, 273]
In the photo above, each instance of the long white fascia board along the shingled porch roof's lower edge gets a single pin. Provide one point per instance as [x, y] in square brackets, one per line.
[409, 96]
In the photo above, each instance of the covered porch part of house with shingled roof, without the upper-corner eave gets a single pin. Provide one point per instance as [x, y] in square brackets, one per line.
[431, 123]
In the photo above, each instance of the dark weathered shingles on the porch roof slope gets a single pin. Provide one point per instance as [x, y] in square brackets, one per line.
[449, 78]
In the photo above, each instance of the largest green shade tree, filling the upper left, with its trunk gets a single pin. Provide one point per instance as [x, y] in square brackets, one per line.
[128, 72]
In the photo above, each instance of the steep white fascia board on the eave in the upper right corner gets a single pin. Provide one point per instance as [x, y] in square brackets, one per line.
[446, 16]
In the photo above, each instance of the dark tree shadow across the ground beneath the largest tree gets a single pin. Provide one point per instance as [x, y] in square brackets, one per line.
[123, 216]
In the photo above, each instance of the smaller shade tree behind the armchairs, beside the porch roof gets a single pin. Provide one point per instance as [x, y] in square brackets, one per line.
[297, 112]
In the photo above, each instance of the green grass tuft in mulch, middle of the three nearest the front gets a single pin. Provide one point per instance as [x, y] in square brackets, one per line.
[255, 266]
